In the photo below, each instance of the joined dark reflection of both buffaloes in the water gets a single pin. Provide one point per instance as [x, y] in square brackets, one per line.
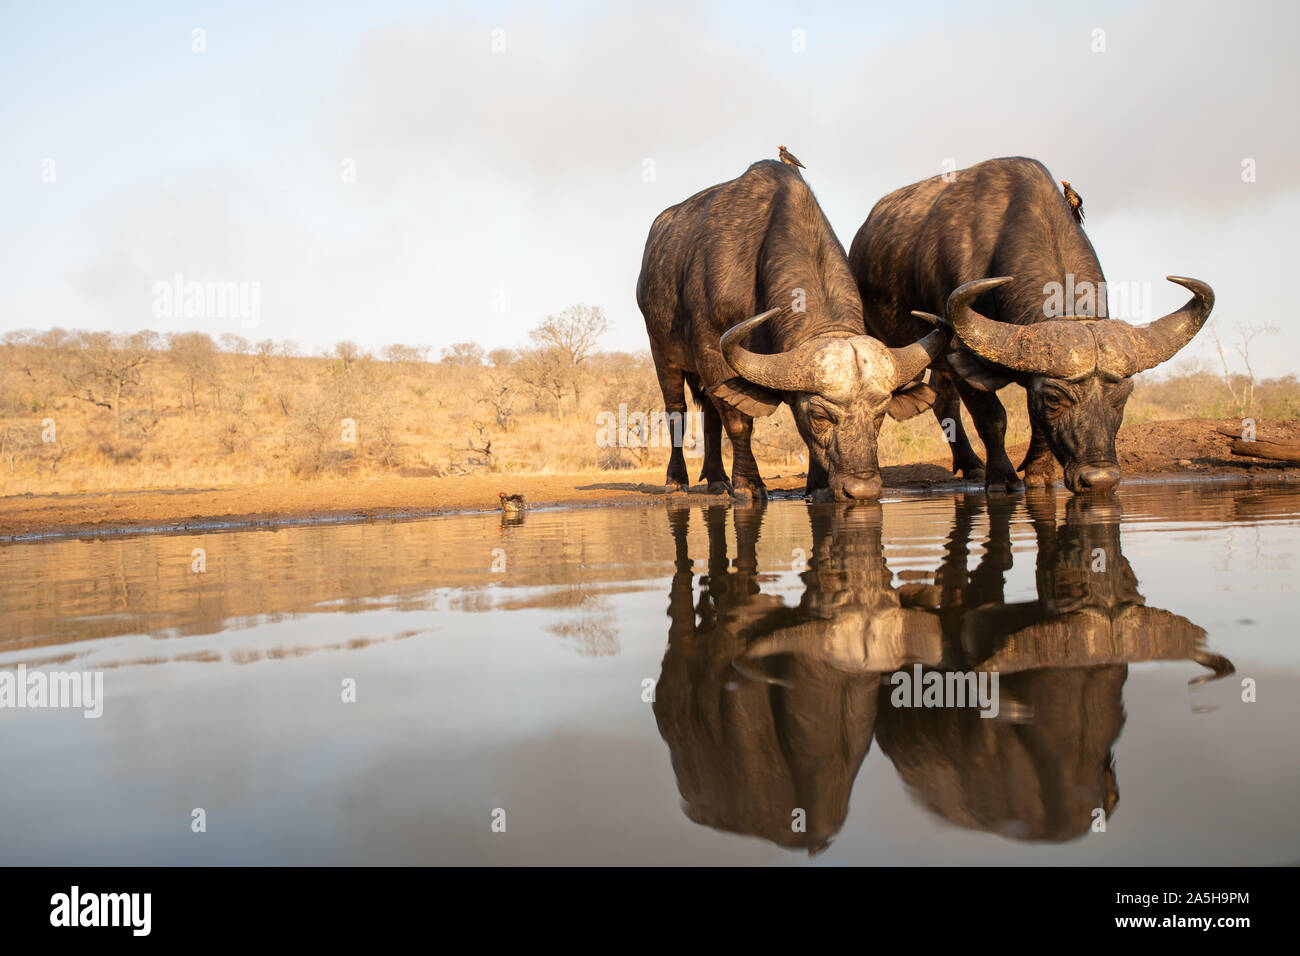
[769, 711]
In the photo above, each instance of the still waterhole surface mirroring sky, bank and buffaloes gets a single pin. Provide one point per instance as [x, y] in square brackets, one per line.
[671, 685]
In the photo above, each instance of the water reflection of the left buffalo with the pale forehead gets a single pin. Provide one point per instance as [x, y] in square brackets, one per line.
[769, 710]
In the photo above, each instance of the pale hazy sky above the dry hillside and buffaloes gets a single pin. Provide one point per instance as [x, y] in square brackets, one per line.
[434, 174]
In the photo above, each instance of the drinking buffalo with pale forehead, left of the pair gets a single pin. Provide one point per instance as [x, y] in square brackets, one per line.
[756, 258]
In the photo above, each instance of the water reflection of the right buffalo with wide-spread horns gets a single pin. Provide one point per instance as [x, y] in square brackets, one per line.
[1047, 765]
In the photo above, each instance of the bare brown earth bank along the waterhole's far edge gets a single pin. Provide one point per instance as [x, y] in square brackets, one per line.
[1186, 449]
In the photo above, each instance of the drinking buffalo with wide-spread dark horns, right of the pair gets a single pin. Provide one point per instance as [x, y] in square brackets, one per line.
[990, 246]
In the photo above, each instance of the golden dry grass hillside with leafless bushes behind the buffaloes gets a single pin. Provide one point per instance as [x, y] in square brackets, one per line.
[76, 414]
